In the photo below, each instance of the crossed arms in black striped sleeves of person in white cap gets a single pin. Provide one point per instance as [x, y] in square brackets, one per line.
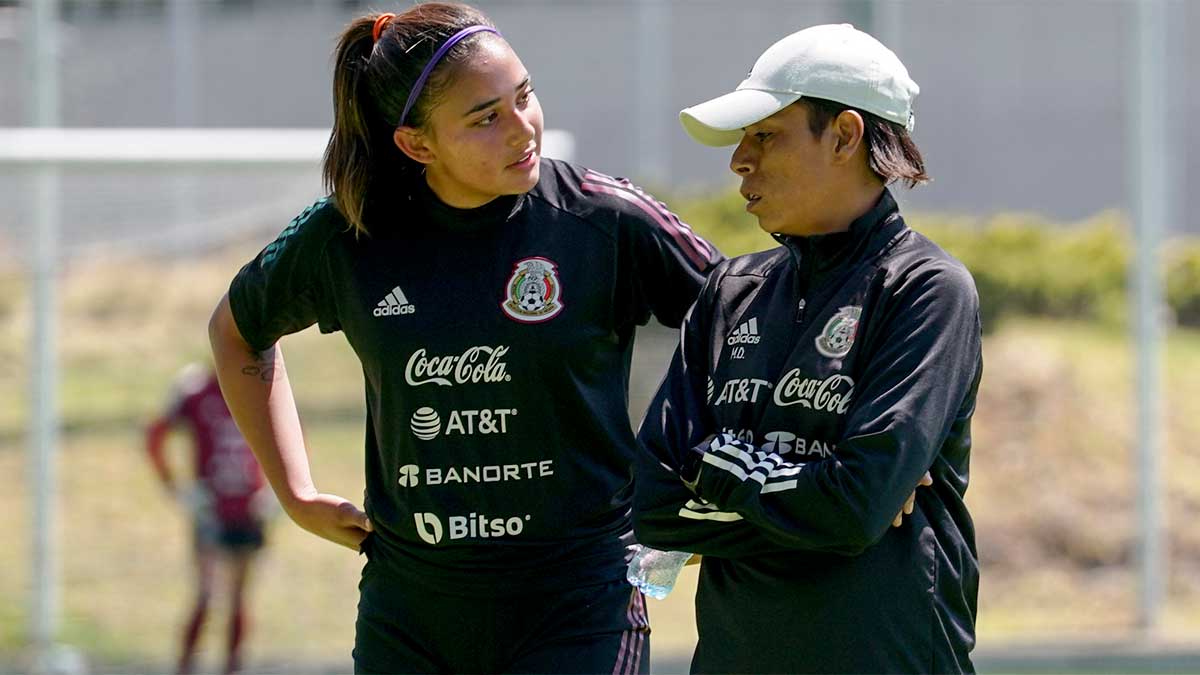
[730, 499]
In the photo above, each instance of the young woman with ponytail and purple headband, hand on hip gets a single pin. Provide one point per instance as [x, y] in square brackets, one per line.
[493, 298]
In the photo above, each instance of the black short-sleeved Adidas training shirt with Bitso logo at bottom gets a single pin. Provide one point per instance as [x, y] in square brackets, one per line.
[496, 349]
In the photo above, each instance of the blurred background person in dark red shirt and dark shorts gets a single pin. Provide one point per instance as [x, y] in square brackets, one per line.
[226, 499]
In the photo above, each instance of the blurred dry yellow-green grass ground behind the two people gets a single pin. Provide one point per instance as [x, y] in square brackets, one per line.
[1052, 479]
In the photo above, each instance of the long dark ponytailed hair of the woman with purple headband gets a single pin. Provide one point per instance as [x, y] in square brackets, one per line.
[371, 85]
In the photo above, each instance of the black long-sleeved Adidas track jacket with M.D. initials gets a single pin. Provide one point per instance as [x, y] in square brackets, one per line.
[843, 367]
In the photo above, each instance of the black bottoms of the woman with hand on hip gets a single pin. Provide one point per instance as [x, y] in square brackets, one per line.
[422, 629]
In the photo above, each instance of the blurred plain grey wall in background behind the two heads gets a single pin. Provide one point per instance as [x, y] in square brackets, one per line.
[1023, 104]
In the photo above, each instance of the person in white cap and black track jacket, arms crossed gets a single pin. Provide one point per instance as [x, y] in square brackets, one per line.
[818, 384]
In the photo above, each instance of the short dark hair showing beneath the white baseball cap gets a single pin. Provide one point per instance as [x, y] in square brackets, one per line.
[892, 154]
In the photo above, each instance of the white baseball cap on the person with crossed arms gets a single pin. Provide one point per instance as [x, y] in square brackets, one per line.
[833, 62]
